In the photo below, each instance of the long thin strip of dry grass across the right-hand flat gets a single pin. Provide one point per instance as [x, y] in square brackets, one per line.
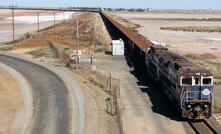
[194, 28]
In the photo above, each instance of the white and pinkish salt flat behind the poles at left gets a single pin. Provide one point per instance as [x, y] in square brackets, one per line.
[28, 24]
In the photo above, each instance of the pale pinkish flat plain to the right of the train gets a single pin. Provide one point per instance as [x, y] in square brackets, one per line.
[178, 41]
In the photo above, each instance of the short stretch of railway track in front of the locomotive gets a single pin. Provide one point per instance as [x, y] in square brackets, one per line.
[202, 127]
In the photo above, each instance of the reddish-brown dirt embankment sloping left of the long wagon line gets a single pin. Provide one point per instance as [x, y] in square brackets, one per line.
[92, 35]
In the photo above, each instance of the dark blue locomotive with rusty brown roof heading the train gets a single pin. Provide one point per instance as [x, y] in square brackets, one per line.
[188, 86]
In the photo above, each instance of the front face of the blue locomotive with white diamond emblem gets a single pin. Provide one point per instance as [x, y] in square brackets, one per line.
[196, 96]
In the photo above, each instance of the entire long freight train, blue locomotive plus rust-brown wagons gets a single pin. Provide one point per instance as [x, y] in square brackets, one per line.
[188, 86]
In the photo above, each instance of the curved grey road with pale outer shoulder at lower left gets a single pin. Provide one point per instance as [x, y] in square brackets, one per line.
[57, 101]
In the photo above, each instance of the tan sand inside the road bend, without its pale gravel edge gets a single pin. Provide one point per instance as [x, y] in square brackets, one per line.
[11, 101]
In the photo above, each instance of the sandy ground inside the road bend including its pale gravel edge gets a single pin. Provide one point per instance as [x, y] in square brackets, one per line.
[16, 101]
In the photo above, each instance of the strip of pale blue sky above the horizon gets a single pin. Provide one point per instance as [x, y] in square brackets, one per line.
[156, 4]
